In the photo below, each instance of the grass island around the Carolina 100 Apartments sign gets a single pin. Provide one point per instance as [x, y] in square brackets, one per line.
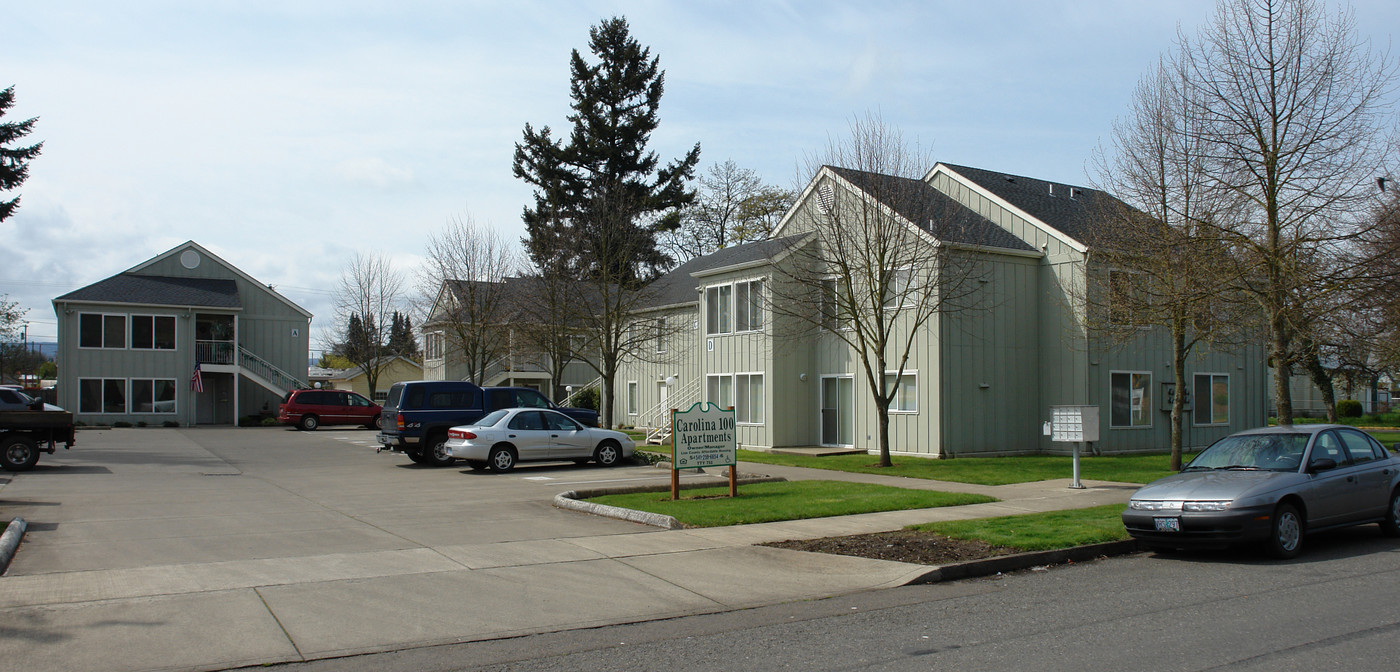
[785, 502]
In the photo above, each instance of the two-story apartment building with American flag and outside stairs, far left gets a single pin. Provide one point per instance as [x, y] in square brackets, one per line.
[131, 345]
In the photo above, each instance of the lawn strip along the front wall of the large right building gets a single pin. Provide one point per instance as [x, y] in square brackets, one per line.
[985, 471]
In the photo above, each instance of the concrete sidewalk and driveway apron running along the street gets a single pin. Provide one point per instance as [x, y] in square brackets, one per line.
[215, 615]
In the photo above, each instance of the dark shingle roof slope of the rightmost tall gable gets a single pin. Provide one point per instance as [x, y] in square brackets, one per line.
[1073, 211]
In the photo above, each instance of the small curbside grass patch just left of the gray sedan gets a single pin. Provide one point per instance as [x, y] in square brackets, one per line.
[1055, 530]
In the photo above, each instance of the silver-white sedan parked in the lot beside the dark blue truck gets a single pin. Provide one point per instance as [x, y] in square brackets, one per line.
[509, 436]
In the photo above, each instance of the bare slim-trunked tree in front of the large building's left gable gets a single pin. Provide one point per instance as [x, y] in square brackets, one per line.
[881, 257]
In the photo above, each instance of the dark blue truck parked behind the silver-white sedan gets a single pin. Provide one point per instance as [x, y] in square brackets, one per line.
[418, 415]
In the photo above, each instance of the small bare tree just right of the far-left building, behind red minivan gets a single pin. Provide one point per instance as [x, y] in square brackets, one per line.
[370, 290]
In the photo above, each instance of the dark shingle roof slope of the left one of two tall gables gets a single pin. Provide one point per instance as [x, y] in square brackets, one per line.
[933, 211]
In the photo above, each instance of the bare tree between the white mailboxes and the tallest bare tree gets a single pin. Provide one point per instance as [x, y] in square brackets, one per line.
[1167, 267]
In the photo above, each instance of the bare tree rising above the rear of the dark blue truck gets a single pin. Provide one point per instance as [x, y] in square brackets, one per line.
[465, 295]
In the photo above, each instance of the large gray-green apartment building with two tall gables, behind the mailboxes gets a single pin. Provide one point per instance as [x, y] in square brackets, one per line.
[976, 384]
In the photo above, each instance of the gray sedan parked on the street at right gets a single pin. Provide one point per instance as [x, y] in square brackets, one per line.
[1272, 485]
